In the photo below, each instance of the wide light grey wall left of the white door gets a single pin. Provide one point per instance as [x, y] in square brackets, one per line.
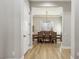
[11, 13]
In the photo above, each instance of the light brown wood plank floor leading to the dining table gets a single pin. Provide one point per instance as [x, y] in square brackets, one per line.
[47, 51]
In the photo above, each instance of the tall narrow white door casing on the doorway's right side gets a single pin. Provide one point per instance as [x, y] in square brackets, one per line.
[73, 30]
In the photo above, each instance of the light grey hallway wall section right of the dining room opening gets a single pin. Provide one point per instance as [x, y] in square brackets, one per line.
[67, 29]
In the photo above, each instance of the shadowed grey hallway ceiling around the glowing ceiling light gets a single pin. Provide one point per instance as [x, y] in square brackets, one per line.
[66, 5]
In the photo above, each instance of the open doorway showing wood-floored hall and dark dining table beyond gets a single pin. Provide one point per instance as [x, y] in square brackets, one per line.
[50, 28]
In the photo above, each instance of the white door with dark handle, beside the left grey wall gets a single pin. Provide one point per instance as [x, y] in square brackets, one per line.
[26, 29]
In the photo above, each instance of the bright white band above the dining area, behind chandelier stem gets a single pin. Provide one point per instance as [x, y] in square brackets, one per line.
[42, 11]
